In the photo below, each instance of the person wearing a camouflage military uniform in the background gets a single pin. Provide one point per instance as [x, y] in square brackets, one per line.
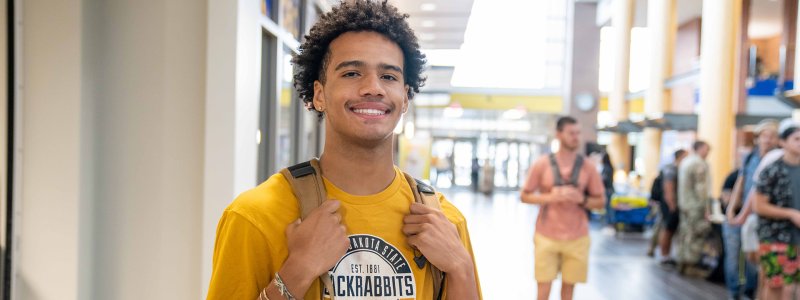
[694, 193]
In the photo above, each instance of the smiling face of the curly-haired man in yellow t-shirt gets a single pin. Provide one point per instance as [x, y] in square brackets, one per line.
[363, 93]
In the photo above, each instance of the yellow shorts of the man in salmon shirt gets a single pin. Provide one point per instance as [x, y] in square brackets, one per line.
[571, 257]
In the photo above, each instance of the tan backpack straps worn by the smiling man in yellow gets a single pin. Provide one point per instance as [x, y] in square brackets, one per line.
[307, 185]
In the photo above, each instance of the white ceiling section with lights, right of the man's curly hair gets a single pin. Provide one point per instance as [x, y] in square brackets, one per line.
[443, 26]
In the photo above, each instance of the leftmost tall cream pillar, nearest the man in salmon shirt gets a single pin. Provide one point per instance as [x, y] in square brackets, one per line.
[621, 20]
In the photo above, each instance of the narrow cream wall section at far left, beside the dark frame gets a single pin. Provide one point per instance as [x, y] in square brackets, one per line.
[48, 245]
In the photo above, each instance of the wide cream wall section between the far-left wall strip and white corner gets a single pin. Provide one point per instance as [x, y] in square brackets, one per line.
[149, 147]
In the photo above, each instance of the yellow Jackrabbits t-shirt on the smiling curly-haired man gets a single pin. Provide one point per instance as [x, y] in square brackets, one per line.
[251, 243]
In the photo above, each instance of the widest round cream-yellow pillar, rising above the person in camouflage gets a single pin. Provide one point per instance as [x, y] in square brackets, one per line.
[717, 59]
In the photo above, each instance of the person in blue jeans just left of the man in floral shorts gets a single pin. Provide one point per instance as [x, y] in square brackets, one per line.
[766, 139]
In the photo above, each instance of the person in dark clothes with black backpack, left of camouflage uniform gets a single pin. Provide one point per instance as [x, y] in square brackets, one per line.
[669, 207]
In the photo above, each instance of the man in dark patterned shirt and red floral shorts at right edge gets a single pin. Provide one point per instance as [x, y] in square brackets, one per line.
[777, 202]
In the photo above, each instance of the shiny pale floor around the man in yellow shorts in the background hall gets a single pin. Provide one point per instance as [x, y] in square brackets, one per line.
[501, 229]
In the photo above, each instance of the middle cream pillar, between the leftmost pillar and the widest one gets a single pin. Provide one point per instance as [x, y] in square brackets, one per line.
[662, 27]
